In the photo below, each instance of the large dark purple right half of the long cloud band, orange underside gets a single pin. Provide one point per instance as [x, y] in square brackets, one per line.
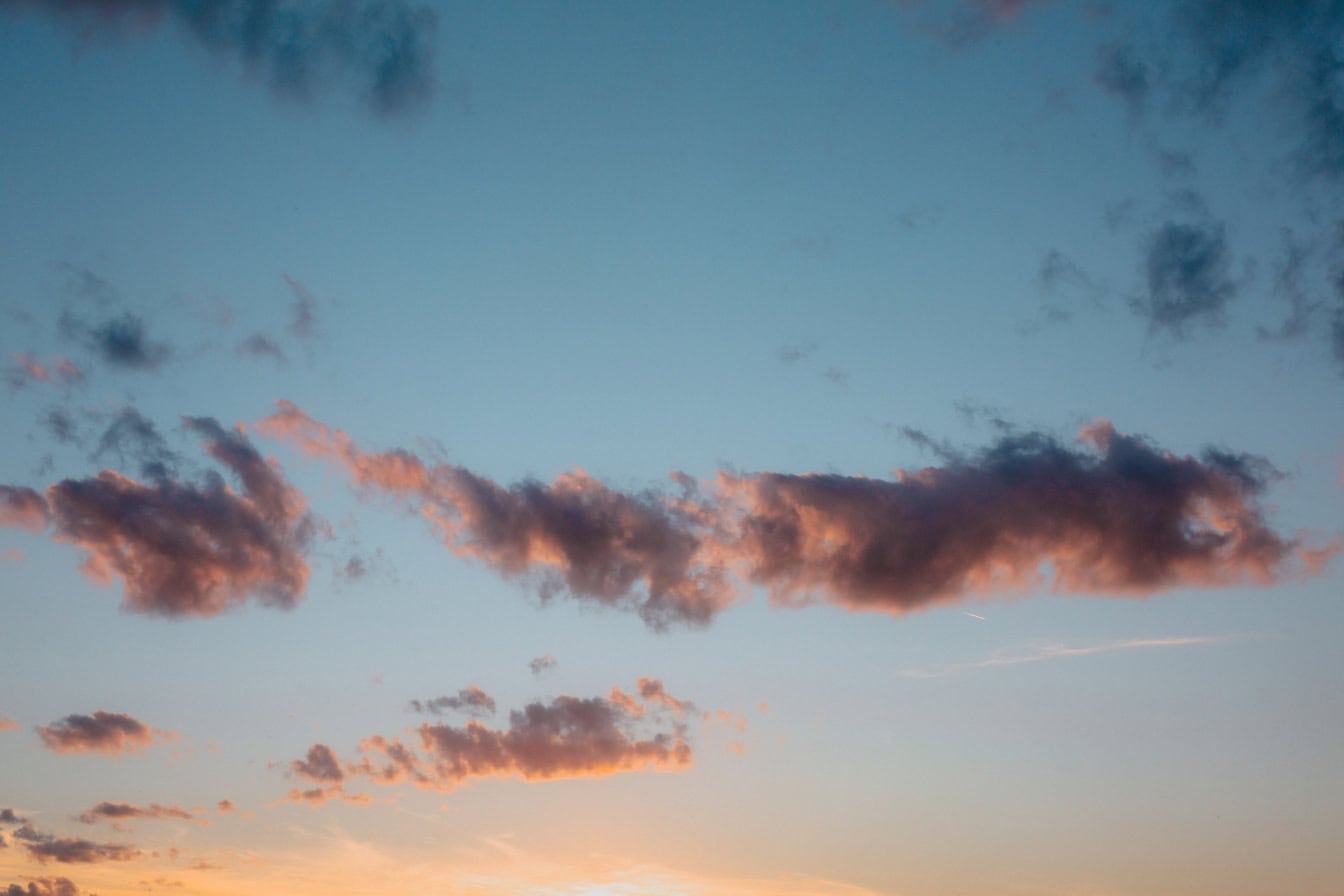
[1118, 517]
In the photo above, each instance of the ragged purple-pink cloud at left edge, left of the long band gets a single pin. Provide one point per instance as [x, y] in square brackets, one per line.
[181, 550]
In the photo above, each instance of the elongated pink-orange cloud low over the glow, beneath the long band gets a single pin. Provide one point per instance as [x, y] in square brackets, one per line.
[564, 738]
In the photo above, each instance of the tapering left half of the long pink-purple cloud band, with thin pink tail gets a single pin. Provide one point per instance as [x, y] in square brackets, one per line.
[575, 534]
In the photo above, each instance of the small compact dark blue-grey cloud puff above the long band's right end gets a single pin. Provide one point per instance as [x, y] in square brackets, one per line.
[1189, 280]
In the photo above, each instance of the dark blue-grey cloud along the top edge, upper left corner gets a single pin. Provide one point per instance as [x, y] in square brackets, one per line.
[386, 48]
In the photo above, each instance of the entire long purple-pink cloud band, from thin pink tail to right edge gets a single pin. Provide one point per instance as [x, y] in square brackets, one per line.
[1112, 515]
